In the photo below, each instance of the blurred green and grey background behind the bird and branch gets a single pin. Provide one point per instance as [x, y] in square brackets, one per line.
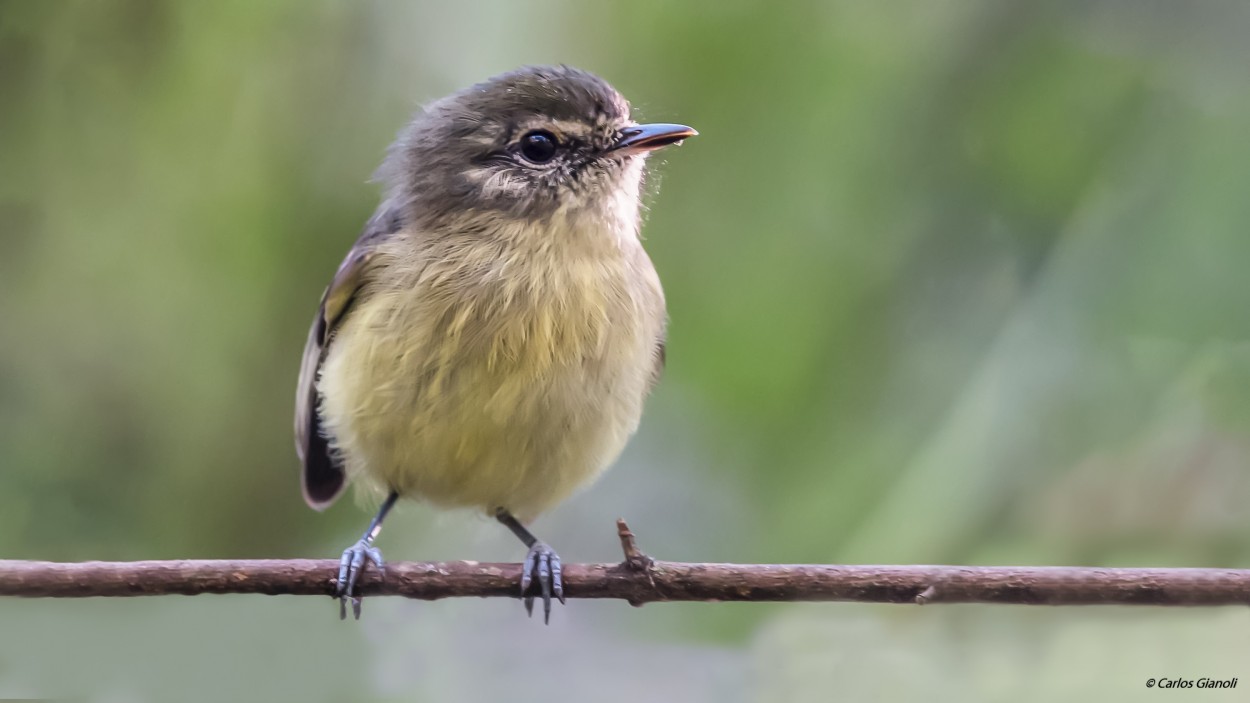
[951, 282]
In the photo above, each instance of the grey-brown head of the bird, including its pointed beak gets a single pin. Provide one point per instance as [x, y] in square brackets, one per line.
[526, 146]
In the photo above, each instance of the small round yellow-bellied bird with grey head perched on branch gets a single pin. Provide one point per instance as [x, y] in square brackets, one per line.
[491, 338]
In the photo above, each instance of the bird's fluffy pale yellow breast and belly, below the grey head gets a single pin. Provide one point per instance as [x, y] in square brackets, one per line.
[498, 372]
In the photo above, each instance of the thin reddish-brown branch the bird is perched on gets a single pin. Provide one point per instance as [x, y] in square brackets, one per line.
[639, 580]
